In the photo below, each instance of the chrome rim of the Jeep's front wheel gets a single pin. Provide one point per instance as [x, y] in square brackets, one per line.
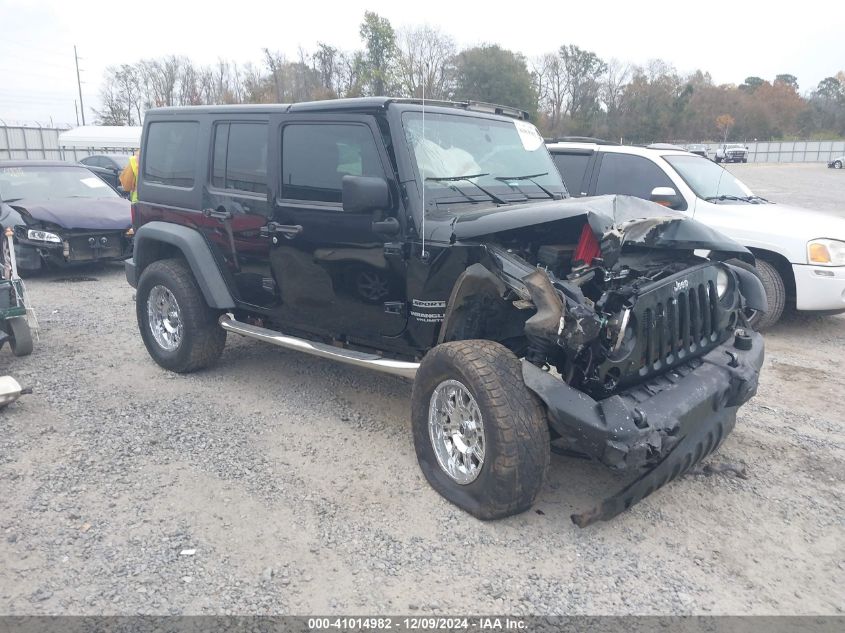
[456, 431]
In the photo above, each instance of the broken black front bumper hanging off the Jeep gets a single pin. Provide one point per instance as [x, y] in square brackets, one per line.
[665, 425]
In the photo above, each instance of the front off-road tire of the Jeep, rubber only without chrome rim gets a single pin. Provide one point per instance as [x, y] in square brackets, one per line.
[515, 428]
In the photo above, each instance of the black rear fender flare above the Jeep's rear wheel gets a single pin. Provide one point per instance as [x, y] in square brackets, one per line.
[196, 252]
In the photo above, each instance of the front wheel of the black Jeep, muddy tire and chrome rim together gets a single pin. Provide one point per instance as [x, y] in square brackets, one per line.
[481, 437]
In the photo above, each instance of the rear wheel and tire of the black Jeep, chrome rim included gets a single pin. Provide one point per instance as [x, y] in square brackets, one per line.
[180, 331]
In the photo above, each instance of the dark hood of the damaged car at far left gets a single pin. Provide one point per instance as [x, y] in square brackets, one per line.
[79, 213]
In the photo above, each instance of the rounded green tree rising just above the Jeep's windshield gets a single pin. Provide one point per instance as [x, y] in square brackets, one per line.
[496, 75]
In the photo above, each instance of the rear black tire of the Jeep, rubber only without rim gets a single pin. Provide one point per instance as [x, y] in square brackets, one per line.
[203, 339]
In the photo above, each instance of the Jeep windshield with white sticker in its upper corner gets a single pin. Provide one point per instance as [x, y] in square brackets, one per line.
[466, 159]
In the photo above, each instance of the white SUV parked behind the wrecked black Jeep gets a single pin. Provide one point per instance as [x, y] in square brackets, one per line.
[800, 253]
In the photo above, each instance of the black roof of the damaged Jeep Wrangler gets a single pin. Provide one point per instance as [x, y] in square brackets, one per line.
[339, 105]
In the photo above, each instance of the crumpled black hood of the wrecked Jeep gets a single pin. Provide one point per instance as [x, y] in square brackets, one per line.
[615, 221]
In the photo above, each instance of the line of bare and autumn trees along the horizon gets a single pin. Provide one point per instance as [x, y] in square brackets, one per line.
[570, 91]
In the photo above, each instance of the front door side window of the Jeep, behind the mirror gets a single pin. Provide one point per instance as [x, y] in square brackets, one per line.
[316, 157]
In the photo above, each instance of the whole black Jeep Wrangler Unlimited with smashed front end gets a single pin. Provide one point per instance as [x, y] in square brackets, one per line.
[437, 242]
